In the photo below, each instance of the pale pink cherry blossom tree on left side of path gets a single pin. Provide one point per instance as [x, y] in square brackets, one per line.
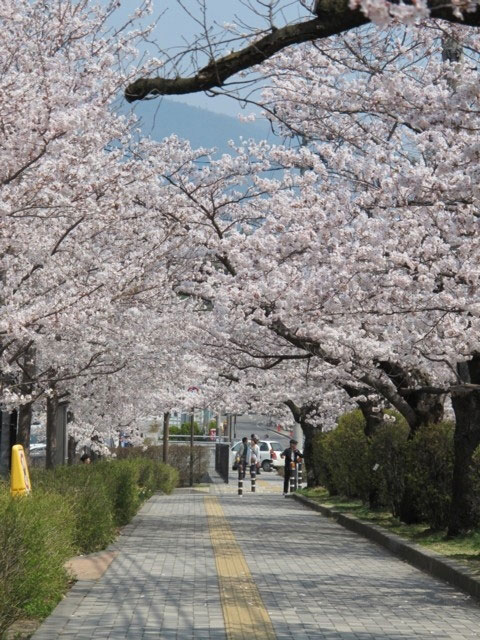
[84, 257]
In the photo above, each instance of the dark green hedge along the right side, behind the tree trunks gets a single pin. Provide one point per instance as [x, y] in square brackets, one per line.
[389, 465]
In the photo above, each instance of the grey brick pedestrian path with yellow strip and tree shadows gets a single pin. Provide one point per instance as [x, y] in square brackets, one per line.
[205, 564]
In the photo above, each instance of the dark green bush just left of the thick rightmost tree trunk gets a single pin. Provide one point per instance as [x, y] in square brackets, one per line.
[430, 469]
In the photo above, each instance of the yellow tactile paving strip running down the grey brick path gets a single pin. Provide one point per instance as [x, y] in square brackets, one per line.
[243, 610]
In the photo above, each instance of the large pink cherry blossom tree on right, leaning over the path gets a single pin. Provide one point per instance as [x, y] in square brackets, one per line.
[360, 256]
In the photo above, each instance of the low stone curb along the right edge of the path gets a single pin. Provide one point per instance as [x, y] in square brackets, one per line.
[433, 563]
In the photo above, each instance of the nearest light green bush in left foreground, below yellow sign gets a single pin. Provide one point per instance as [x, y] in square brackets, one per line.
[36, 538]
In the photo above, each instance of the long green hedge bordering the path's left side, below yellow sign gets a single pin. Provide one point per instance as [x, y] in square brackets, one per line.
[72, 510]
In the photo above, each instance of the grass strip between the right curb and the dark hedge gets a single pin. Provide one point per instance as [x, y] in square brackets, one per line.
[465, 549]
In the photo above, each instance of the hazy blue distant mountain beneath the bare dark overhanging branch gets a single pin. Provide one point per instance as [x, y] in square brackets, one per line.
[203, 128]
